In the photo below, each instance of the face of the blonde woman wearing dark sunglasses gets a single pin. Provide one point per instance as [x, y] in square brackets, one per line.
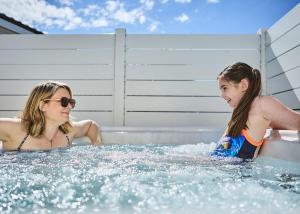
[54, 111]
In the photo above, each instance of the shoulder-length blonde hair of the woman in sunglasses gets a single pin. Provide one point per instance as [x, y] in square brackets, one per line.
[32, 118]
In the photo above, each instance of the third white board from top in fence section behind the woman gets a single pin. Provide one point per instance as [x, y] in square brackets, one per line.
[56, 72]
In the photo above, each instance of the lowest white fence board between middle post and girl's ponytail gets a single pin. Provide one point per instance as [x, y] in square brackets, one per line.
[216, 120]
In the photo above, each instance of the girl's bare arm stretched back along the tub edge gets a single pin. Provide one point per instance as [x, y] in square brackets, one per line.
[279, 115]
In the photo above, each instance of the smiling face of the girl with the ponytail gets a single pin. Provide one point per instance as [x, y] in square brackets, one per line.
[232, 92]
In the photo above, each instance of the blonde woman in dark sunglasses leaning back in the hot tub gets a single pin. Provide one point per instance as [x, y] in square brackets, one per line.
[45, 121]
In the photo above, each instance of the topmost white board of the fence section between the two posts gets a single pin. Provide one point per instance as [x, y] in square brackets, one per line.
[193, 41]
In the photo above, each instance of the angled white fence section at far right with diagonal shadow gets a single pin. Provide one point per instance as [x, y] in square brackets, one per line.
[283, 59]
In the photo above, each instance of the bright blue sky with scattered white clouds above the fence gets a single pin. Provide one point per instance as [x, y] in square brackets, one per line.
[148, 16]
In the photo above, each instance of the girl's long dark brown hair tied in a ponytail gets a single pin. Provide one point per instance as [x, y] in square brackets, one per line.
[235, 73]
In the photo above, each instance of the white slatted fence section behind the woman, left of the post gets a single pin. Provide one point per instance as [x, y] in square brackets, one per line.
[84, 62]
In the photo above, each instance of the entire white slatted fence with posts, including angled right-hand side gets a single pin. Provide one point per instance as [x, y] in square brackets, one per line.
[148, 80]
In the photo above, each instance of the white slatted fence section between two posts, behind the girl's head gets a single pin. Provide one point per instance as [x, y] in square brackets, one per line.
[171, 80]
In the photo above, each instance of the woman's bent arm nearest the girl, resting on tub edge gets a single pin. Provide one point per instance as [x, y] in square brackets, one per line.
[89, 129]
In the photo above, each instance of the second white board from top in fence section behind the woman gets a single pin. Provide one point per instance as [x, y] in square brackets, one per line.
[38, 57]
